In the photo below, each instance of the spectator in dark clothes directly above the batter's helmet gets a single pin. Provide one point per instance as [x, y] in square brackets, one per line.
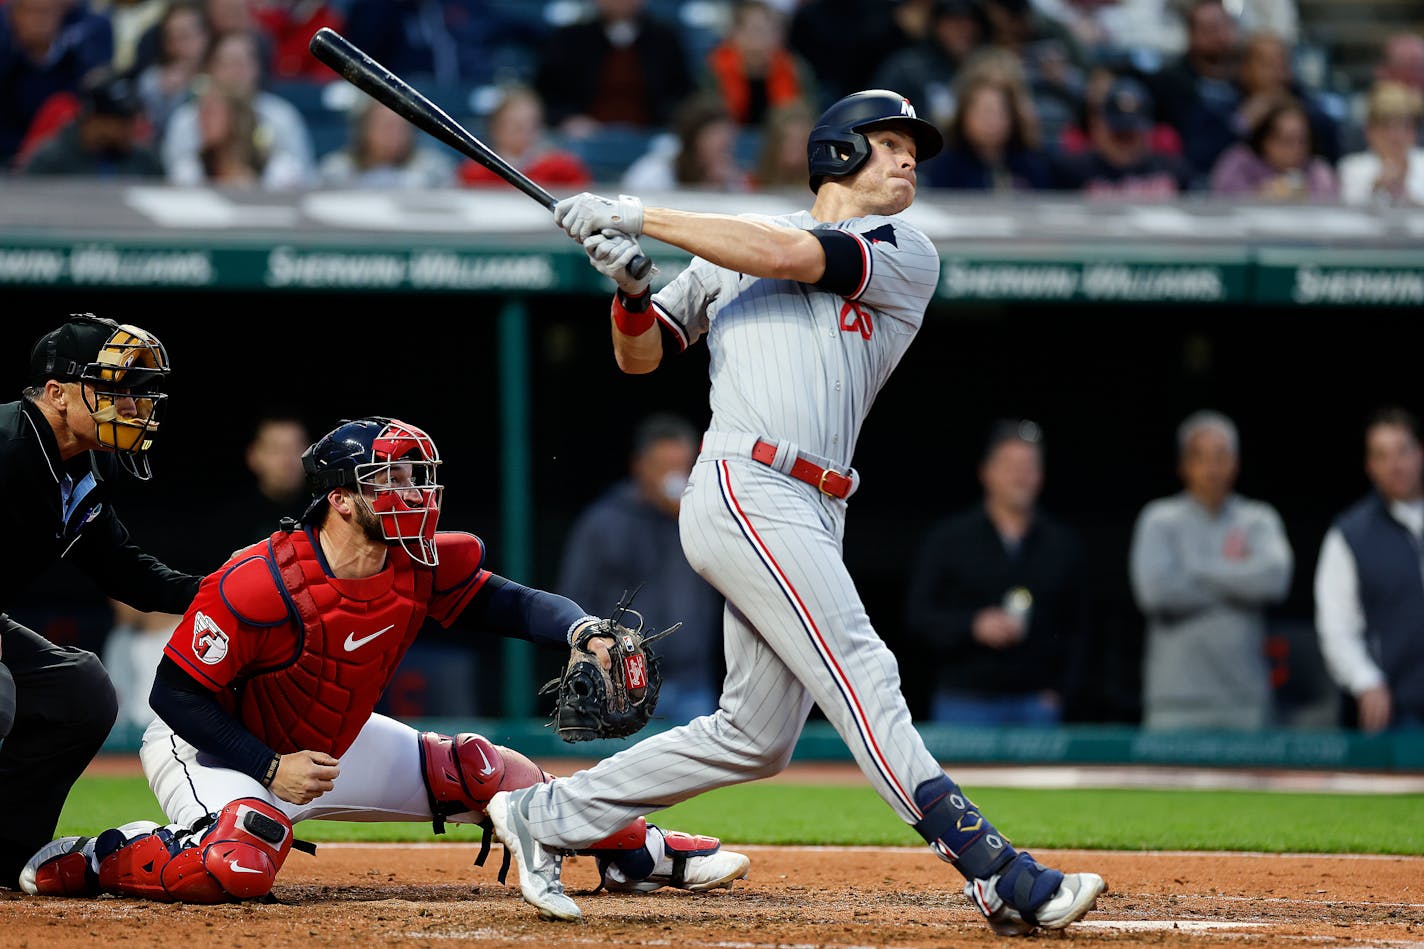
[925, 73]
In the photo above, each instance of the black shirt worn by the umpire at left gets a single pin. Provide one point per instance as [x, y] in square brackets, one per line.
[62, 509]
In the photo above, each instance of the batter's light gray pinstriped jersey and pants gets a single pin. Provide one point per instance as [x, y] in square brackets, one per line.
[800, 367]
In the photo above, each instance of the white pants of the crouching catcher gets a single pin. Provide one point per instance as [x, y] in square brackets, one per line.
[381, 780]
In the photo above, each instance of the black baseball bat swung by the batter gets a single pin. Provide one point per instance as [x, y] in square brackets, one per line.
[388, 89]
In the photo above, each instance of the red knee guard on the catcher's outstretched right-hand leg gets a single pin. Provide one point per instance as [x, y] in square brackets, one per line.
[464, 773]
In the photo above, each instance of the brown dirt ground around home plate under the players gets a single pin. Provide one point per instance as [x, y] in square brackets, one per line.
[431, 896]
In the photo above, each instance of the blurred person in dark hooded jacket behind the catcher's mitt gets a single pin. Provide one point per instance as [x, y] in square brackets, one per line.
[643, 514]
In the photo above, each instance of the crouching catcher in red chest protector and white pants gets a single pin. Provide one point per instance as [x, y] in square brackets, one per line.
[267, 692]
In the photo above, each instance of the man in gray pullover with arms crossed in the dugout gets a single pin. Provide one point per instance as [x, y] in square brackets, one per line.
[1205, 565]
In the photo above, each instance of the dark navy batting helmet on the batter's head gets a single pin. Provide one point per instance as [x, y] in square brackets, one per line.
[838, 146]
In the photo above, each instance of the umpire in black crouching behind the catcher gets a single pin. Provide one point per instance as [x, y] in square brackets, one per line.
[90, 411]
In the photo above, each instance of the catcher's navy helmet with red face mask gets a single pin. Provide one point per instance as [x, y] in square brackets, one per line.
[392, 468]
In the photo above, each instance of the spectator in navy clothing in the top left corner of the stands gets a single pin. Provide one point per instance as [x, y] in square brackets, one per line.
[46, 49]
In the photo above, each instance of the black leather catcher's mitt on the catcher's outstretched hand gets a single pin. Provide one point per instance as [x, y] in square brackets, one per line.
[614, 703]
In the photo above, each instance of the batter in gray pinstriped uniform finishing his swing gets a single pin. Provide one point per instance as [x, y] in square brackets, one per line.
[807, 316]
